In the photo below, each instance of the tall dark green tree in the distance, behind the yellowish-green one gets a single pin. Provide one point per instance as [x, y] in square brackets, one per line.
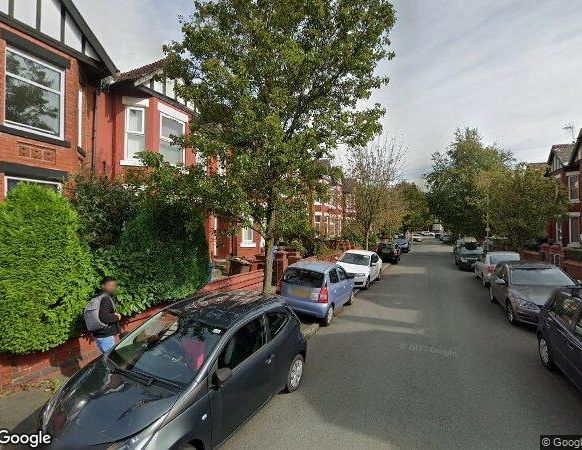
[452, 181]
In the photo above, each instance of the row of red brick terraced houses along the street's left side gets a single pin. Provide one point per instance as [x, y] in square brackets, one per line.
[65, 105]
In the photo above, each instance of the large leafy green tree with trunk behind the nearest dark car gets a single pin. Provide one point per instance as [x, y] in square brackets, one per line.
[275, 86]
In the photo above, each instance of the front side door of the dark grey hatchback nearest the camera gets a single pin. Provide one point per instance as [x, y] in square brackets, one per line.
[250, 385]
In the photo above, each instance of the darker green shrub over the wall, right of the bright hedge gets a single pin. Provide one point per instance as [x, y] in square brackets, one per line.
[162, 255]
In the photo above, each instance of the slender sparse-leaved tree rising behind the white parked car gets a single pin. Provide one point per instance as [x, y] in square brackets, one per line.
[375, 169]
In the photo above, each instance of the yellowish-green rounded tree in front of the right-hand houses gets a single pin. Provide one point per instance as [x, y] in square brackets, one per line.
[521, 202]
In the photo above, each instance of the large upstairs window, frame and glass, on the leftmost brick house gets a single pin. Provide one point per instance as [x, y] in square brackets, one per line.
[34, 95]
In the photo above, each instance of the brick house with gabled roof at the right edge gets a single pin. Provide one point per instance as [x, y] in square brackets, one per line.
[564, 164]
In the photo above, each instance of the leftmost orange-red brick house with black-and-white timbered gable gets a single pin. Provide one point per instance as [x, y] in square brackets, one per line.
[52, 65]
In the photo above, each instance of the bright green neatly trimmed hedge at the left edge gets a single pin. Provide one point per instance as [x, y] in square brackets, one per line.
[45, 270]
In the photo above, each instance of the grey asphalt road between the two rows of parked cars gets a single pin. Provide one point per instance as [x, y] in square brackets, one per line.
[420, 360]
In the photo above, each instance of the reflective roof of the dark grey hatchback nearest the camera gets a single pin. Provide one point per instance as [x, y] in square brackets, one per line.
[224, 309]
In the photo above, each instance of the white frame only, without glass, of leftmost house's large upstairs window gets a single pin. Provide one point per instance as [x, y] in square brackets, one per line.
[60, 93]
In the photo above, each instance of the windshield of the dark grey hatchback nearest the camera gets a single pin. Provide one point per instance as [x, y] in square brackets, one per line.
[169, 346]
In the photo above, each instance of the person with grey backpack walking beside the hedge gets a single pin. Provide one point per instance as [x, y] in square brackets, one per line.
[101, 319]
